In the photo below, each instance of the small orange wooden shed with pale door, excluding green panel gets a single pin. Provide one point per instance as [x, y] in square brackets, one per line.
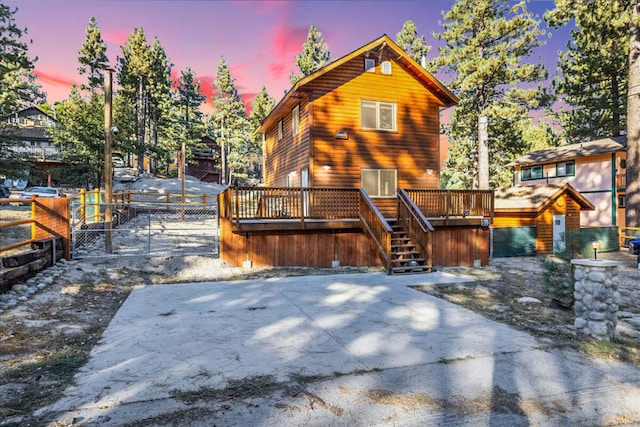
[552, 209]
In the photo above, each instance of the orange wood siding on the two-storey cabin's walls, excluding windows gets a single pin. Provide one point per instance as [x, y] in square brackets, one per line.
[332, 103]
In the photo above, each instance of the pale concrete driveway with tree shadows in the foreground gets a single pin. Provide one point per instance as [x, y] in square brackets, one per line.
[349, 349]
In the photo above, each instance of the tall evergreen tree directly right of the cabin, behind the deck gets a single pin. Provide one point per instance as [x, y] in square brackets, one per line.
[487, 43]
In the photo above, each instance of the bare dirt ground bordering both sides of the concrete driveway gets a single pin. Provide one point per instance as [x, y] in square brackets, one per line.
[45, 339]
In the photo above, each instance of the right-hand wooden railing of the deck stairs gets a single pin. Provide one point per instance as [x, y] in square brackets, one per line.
[416, 225]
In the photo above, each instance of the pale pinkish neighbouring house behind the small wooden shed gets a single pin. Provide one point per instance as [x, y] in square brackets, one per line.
[596, 169]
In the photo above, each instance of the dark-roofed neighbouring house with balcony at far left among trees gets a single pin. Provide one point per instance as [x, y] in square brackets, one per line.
[30, 127]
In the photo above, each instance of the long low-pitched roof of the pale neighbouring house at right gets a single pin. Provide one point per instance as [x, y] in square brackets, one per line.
[568, 152]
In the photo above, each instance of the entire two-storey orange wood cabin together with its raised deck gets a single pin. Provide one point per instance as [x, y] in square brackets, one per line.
[352, 174]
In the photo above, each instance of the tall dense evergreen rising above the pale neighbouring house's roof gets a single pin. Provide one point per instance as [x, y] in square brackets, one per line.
[594, 68]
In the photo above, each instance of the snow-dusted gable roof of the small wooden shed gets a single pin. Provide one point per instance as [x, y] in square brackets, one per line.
[535, 198]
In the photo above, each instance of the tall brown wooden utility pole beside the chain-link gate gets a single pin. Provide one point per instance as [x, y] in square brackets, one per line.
[108, 161]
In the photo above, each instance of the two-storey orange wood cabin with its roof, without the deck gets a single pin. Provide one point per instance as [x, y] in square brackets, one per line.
[370, 119]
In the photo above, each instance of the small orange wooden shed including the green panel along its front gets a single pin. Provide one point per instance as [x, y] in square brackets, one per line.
[533, 219]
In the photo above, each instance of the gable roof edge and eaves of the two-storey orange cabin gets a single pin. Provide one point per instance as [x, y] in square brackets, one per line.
[446, 97]
